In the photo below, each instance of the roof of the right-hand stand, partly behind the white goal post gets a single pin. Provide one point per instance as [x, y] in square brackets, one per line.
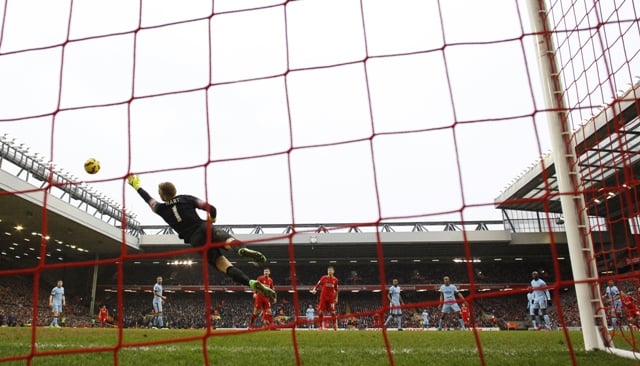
[606, 148]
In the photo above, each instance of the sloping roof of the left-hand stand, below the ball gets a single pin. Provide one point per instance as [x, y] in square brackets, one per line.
[72, 233]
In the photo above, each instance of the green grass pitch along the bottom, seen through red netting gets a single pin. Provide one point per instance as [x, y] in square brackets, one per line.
[185, 347]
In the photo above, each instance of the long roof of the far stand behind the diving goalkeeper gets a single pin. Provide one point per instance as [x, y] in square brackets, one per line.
[398, 242]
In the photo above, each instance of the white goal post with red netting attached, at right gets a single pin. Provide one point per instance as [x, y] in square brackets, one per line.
[591, 309]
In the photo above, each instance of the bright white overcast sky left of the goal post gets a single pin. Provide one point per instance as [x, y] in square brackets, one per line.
[313, 111]
